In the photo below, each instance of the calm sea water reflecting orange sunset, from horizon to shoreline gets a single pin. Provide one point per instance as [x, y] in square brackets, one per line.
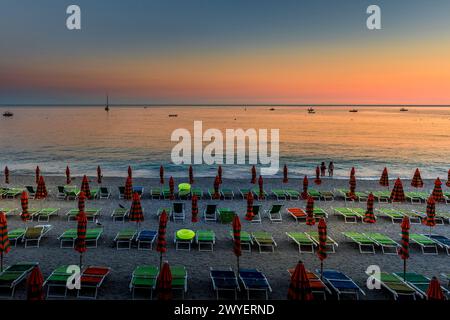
[84, 137]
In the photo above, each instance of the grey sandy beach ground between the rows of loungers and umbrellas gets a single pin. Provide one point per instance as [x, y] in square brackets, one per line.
[274, 265]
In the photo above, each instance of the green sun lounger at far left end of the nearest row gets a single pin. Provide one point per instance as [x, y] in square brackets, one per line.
[14, 275]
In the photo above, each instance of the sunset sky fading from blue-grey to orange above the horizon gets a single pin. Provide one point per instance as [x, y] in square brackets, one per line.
[225, 51]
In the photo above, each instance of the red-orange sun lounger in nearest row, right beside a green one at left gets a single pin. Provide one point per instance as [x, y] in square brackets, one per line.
[92, 279]
